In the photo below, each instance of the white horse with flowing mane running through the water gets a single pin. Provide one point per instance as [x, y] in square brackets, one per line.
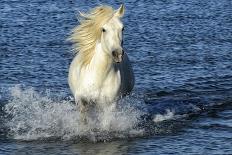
[101, 72]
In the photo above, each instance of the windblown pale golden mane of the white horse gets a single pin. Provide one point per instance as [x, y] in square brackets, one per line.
[85, 35]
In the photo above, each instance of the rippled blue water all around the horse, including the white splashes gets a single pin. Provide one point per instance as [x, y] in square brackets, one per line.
[180, 50]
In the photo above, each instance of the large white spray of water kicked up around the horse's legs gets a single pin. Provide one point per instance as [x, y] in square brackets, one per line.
[34, 116]
